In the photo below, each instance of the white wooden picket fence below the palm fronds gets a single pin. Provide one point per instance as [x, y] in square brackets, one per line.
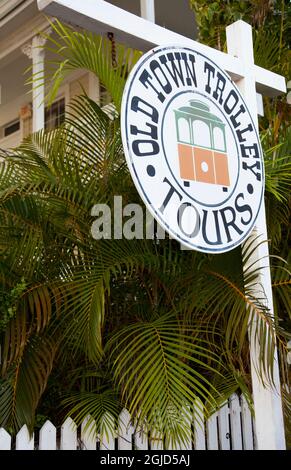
[230, 428]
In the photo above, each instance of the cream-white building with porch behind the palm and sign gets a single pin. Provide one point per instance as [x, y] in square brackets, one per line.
[20, 21]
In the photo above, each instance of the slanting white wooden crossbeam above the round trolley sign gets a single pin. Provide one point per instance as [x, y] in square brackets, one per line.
[100, 17]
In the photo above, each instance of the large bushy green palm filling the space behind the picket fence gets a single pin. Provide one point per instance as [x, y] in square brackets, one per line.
[104, 324]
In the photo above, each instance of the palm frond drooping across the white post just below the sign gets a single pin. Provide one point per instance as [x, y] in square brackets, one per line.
[248, 315]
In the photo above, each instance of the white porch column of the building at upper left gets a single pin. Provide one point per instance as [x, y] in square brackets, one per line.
[34, 50]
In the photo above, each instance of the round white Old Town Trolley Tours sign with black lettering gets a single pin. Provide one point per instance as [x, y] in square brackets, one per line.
[192, 149]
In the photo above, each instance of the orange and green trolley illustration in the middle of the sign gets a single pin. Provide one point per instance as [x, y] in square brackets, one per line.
[201, 145]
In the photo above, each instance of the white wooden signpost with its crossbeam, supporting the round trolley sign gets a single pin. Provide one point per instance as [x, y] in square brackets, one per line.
[101, 17]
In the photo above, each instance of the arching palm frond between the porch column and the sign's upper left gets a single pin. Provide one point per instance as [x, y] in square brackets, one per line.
[75, 50]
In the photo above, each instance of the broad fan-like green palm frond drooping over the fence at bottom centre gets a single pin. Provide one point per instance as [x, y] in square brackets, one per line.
[161, 367]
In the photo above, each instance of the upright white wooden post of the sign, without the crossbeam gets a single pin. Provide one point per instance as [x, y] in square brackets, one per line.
[267, 399]
